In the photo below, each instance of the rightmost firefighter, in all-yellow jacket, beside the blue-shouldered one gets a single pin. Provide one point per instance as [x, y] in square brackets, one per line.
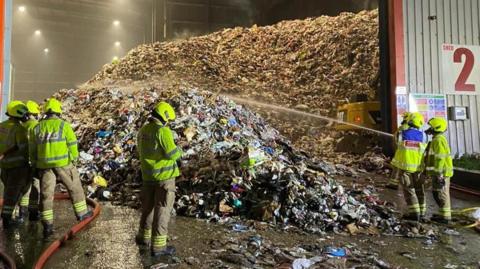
[439, 167]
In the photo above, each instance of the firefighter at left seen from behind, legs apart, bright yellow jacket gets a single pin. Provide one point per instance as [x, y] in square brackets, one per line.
[53, 148]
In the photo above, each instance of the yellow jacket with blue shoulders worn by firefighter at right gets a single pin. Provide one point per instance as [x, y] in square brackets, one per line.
[409, 155]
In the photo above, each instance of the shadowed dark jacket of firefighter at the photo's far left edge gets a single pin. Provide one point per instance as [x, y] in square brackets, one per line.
[12, 133]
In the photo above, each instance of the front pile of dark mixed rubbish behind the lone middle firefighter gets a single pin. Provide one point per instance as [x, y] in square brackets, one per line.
[234, 163]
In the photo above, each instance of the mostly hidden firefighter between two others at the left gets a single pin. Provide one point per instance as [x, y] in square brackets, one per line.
[31, 194]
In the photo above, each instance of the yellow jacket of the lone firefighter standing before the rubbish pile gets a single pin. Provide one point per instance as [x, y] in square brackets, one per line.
[158, 152]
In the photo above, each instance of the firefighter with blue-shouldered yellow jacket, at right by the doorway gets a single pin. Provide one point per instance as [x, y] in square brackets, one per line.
[409, 160]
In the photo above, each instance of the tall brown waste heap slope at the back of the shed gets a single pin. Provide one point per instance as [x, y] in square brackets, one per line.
[313, 64]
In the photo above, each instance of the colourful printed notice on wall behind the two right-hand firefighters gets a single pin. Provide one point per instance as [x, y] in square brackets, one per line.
[429, 105]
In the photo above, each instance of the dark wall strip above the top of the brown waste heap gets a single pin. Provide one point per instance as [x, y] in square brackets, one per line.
[184, 18]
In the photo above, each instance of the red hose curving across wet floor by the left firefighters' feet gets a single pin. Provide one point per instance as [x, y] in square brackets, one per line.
[68, 235]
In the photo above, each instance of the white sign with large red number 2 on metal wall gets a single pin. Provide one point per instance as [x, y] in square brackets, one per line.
[461, 69]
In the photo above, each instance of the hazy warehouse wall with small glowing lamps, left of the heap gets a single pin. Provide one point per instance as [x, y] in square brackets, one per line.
[80, 37]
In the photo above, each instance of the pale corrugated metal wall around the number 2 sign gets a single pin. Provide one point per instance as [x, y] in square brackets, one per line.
[455, 22]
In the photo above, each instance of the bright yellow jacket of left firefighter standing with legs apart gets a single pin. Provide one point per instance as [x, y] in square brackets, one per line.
[52, 144]
